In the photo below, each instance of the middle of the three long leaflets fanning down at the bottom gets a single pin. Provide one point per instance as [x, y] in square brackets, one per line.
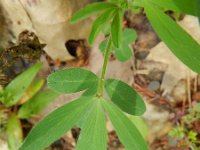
[93, 133]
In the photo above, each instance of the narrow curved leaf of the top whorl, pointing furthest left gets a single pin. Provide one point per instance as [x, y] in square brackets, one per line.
[92, 9]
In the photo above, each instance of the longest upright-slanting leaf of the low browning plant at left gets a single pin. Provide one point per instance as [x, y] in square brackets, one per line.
[16, 89]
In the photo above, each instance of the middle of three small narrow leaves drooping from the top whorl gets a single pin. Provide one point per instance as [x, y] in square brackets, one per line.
[100, 23]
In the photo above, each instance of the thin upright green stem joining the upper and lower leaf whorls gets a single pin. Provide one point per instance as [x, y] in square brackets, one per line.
[106, 57]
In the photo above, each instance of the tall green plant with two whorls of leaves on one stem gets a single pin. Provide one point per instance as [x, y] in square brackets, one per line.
[88, 111]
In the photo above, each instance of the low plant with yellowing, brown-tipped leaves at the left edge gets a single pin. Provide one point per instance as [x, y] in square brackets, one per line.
[21, 99]
